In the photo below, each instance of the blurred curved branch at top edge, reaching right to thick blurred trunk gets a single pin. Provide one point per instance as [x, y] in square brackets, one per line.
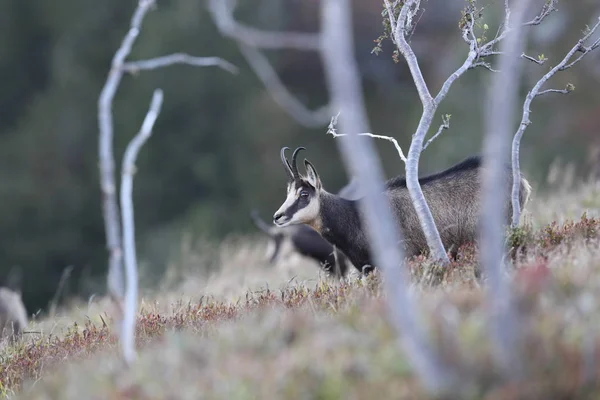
[222, 12]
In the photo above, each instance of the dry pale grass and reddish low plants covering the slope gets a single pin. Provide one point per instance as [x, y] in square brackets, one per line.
[253, 331]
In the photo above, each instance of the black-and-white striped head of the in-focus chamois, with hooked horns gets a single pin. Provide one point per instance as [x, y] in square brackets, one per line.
[301, 205]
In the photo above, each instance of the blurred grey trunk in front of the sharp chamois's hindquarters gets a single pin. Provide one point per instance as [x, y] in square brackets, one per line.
[501, 96]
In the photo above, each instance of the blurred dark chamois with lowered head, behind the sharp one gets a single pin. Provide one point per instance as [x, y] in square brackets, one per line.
[305, 241]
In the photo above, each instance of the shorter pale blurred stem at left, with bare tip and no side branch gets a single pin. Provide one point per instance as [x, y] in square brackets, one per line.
[128, 170]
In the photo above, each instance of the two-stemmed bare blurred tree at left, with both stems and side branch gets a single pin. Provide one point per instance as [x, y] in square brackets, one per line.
[116, 279]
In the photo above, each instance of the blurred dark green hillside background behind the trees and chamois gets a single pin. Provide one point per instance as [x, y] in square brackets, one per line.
[214, 154]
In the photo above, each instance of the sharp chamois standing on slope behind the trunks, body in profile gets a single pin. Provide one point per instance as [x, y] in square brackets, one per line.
[453, 196]
